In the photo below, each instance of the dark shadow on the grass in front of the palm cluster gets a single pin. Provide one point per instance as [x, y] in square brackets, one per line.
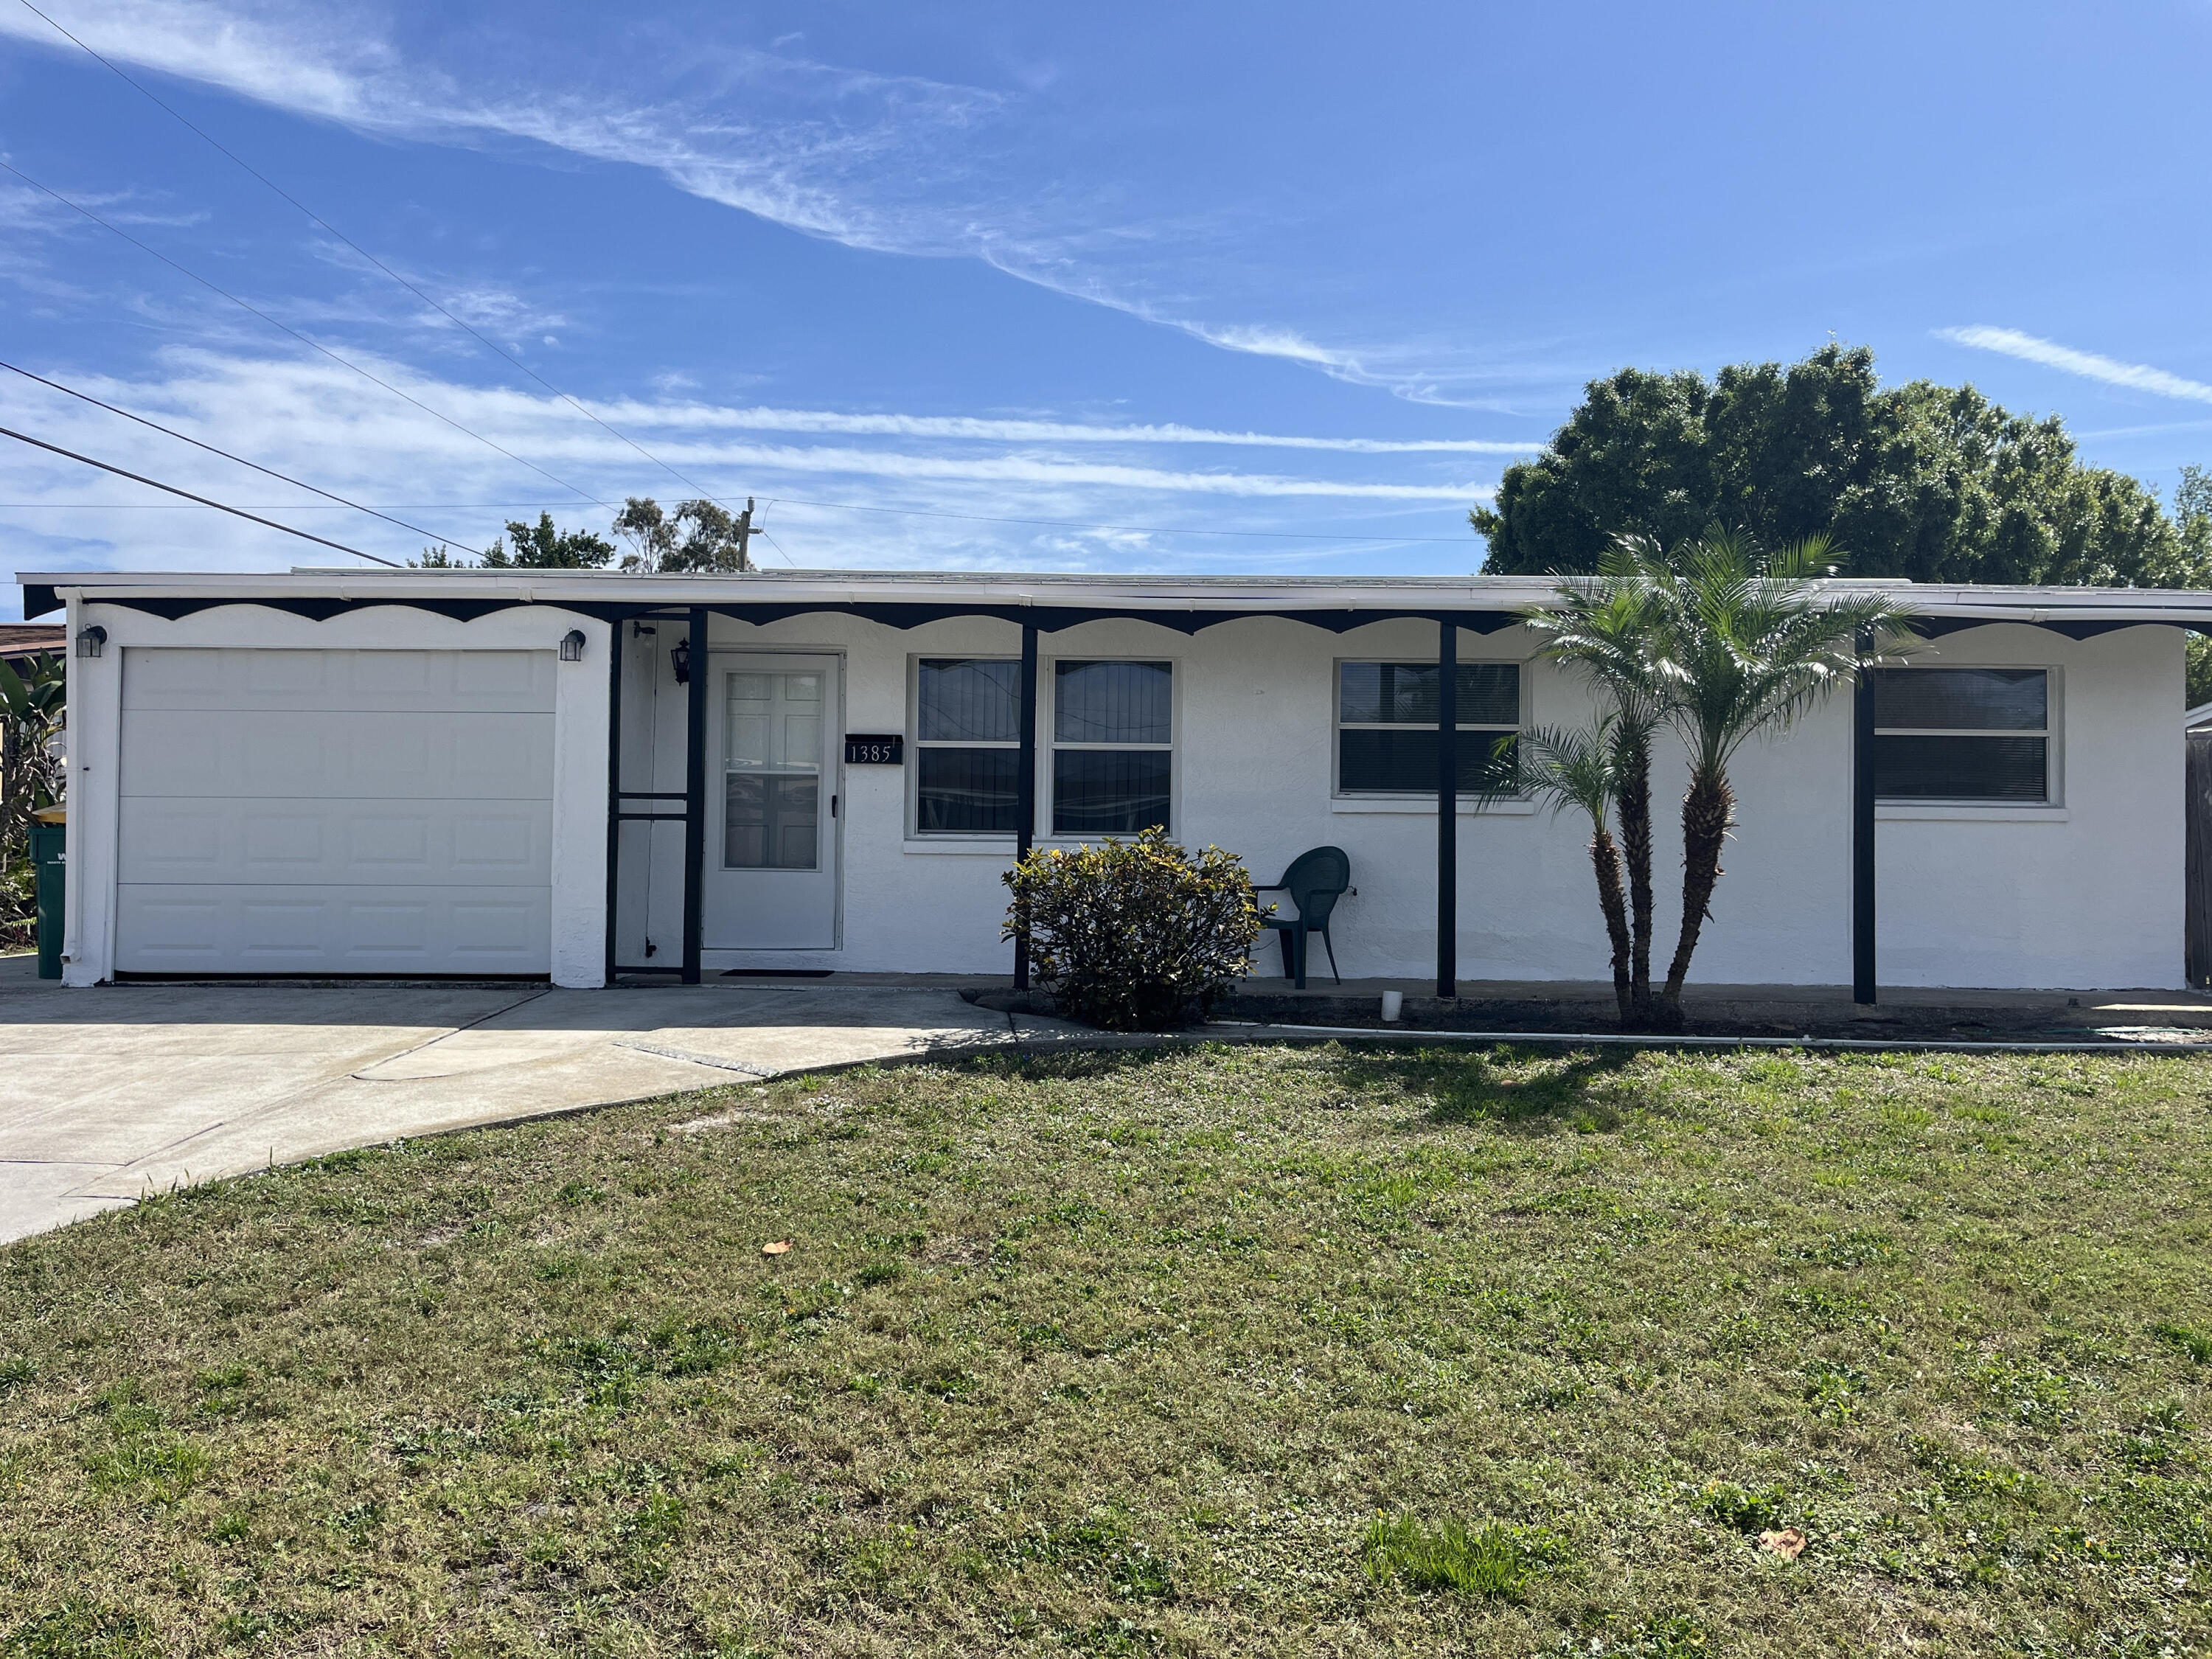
[1578, 1089]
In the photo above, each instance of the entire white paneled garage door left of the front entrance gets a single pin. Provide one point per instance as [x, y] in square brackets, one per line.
[337, 813]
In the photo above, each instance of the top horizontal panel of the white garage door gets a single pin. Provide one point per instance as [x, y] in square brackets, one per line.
[340, 680]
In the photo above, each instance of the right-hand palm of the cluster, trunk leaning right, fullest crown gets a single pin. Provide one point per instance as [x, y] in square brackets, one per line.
[1742, 643]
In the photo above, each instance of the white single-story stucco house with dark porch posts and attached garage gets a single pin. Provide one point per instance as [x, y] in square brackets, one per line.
[583, 775]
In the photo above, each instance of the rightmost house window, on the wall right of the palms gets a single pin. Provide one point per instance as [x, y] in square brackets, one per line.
[1963, 735]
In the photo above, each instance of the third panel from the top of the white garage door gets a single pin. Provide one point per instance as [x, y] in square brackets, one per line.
[441, 844]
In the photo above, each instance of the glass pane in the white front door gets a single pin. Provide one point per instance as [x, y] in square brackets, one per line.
[773, 771]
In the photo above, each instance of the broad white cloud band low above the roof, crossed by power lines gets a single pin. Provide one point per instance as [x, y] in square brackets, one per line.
[884, 499]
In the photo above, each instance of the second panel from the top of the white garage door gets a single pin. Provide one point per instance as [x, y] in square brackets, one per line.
[304, 753]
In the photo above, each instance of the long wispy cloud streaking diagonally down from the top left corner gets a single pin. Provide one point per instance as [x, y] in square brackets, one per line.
[881, 163]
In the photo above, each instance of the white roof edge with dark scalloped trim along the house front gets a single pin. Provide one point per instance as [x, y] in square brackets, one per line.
[1052, 601]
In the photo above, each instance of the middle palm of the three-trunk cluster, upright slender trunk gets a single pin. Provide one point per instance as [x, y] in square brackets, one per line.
[1605, 627]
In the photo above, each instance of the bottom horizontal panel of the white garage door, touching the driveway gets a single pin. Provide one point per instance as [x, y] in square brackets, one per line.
[333, 930]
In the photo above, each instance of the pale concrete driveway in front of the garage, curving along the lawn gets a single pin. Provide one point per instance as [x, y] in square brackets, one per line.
[127, 1089]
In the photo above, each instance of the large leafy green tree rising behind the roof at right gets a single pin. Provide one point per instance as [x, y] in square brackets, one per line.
[1921, 481]
